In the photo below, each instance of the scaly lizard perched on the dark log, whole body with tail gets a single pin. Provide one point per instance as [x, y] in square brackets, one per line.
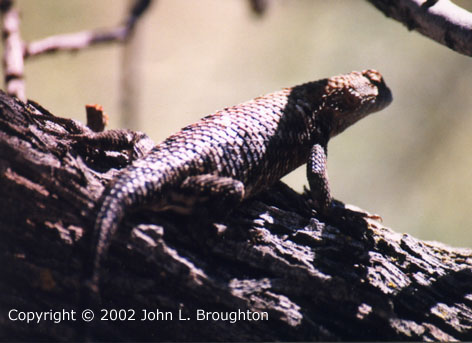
[235, 153]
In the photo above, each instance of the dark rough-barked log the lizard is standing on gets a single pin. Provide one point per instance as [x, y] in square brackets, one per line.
[343, 278]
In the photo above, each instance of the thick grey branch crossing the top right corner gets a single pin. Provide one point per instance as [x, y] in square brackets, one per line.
[441, 21]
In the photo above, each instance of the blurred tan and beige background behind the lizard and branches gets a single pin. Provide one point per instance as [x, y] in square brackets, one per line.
[411, 163]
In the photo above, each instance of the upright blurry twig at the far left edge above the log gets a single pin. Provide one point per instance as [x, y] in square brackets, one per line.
[13, 64]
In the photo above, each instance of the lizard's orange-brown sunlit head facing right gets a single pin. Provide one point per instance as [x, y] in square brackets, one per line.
[350, 97]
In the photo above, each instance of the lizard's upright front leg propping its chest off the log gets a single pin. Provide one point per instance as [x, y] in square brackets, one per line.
[318, 178]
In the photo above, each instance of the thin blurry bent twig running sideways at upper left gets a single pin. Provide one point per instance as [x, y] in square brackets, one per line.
[84, 39]
